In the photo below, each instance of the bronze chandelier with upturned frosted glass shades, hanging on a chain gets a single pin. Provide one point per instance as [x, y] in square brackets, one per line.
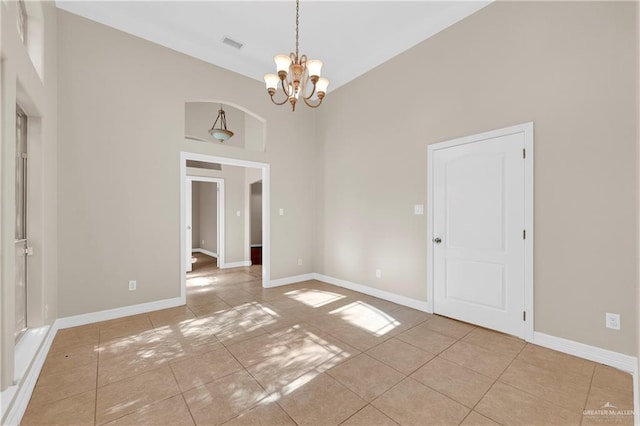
[297, 76]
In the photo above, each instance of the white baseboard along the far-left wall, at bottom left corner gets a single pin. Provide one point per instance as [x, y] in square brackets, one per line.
[17, 397]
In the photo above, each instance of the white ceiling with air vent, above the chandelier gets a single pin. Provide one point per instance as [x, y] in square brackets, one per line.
[351, 37]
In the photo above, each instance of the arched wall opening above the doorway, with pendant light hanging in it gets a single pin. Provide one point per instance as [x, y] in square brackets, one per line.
[248, 129]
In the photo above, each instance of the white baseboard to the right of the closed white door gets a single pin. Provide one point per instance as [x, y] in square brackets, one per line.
[617, 360]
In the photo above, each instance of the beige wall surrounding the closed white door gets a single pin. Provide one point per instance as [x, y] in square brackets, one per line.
[569, 68]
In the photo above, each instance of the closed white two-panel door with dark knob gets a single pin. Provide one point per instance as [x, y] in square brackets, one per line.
[478, 240]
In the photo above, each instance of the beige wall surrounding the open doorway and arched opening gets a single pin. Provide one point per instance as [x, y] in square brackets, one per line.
[121, 108]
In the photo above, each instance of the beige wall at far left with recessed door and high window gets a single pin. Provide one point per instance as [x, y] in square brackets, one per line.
[29, 78]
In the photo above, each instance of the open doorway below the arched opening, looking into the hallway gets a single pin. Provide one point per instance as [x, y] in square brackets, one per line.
[233, 208]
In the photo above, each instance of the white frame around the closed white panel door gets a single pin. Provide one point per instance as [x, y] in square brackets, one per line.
[527, 130]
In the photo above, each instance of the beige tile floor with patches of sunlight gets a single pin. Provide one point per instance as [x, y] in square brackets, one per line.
[311, 354]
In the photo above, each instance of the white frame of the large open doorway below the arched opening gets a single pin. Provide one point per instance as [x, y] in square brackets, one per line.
[266, 193]
